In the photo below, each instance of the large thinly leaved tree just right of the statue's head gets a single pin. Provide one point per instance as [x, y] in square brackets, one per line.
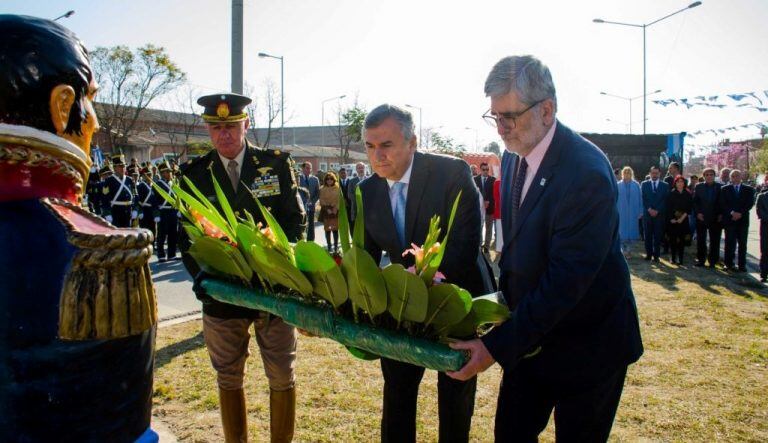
[129, 82]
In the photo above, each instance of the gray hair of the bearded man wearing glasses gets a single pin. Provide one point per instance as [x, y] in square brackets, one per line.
[526, 75]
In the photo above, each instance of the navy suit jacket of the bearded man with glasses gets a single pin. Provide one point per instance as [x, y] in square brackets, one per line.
[562, 270]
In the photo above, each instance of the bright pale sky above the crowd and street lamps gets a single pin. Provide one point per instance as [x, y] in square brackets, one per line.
[435, 55]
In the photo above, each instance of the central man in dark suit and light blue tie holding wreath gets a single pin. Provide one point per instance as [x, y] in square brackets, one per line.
[407, 189]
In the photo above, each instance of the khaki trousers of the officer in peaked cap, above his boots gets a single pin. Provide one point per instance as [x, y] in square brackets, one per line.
[227, 343]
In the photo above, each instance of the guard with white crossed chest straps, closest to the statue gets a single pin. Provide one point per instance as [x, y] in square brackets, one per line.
[118, 202]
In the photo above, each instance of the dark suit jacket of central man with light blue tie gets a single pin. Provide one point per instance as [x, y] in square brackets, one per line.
[435, 181]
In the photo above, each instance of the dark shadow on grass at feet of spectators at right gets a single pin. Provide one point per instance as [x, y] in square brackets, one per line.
[668, 275]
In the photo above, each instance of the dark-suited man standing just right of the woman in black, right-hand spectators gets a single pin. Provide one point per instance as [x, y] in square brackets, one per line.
[706, 207]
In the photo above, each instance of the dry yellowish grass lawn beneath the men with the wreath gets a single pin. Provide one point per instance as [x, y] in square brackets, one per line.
[703, 376]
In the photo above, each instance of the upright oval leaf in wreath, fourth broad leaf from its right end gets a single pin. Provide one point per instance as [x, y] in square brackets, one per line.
[367, 289]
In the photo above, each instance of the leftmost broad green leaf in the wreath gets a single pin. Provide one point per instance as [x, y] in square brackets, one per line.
[221, 258]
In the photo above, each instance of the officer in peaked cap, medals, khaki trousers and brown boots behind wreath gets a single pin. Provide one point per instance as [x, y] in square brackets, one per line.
[246, 173]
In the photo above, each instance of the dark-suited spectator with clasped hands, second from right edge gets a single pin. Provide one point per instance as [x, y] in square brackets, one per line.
[736, 199]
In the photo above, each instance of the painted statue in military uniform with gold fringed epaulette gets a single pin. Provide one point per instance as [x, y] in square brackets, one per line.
[78, 312]
